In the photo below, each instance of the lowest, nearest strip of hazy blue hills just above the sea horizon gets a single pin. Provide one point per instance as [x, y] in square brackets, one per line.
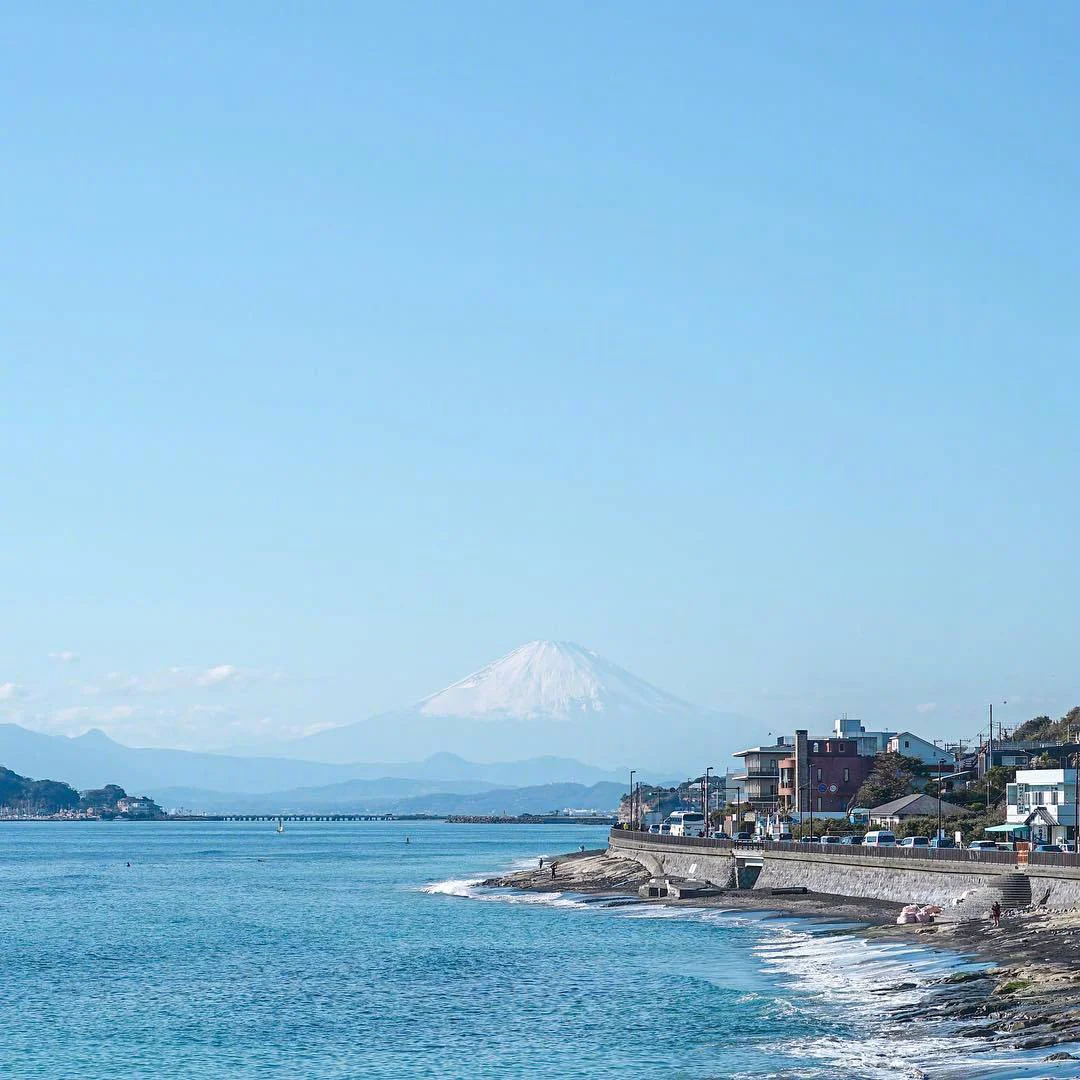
[396, 796]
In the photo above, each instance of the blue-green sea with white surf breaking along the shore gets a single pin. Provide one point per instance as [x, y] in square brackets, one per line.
[340, 950]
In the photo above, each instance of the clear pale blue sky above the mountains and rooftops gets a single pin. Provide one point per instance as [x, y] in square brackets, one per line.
[347, 347]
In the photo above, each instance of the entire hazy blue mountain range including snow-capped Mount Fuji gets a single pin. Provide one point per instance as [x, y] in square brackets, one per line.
[533, 715]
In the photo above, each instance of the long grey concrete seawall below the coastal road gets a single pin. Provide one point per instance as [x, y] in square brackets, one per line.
[903, 879]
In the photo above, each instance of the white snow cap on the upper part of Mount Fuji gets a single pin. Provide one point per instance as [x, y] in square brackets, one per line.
[550, 681]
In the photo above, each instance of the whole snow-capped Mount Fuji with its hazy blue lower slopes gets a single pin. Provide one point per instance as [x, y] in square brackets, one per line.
[544, 698]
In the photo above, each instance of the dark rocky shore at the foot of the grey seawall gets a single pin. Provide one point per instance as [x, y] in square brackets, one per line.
[1027, 998]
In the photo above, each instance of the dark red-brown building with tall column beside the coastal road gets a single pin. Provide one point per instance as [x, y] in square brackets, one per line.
[822, 775]
